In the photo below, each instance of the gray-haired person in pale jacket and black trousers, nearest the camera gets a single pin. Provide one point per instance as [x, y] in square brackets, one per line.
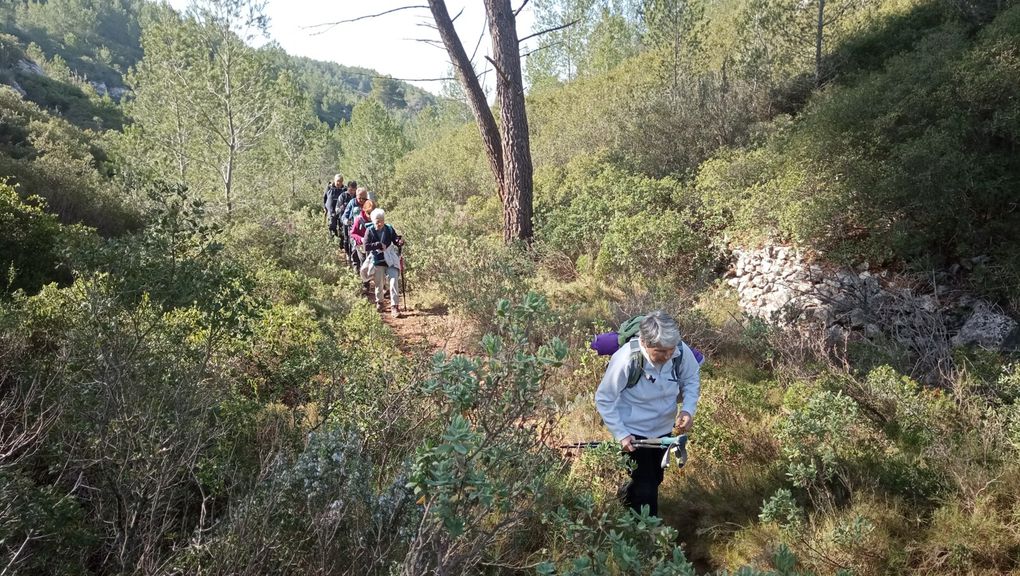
[648, 407]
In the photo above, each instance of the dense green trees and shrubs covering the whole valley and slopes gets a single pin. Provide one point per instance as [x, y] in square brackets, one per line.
[191, 383]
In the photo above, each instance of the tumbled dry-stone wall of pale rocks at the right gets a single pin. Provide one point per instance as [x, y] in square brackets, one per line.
[782, 286]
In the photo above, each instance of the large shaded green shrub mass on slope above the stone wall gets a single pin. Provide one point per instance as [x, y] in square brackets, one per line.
[845, 177]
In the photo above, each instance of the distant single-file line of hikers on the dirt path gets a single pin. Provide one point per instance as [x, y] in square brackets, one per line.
[373, 247]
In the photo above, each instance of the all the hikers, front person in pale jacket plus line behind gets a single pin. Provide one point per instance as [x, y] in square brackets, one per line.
[651, 371]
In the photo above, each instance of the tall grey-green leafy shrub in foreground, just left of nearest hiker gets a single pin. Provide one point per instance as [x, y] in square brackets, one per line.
[486, 478]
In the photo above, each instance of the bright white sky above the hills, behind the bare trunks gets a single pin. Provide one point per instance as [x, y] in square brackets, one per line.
[384, 44]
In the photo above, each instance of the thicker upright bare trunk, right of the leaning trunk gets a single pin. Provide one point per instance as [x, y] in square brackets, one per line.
[518, 171]
